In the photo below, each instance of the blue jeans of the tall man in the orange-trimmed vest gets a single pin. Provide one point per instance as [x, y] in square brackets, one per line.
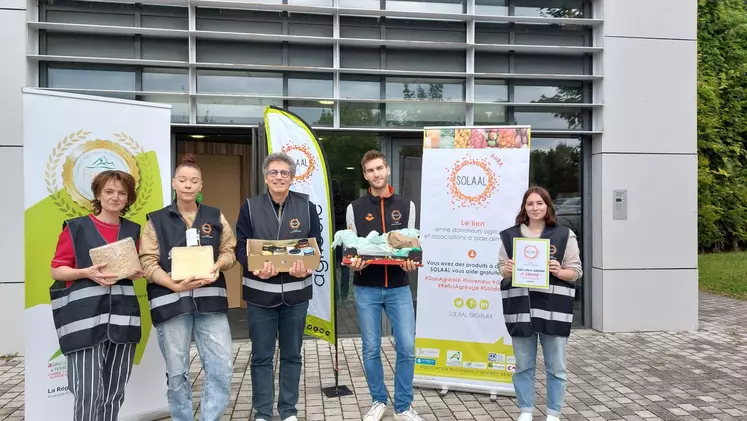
[397, 303]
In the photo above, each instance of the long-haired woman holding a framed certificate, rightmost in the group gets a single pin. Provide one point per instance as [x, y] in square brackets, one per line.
[538, 291]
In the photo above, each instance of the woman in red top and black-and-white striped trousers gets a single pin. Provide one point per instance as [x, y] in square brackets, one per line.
[96, 313]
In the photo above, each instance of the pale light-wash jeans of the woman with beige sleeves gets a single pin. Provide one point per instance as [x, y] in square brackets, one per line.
[213, 339]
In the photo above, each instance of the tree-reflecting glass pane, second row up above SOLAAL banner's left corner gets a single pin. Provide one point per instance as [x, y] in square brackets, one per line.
[425, 89]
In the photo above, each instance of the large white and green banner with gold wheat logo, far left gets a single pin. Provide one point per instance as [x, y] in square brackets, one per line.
[68, 139]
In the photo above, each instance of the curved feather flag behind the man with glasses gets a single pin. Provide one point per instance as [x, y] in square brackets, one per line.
[287, 132]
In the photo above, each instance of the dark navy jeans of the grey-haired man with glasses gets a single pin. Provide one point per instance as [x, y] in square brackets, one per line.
[286, 323]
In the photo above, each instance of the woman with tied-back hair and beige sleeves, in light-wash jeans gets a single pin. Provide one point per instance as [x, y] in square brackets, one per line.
[196, 304]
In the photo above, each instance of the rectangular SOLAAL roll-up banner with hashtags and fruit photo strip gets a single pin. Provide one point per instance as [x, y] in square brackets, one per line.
[476, 179]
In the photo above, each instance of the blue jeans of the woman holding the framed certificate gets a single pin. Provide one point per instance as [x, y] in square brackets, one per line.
[553, 349]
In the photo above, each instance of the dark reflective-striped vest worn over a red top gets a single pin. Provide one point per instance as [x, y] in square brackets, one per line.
[86, 313]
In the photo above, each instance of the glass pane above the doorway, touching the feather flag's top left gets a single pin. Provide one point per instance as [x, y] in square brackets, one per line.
[233, 110]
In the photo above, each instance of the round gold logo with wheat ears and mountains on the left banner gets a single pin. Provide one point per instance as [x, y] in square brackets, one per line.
[82, 159]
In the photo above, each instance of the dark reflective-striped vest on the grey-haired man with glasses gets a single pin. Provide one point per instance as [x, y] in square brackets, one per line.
[294, 223]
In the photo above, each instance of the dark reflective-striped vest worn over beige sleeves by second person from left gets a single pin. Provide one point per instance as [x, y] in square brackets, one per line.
[170, 229]
